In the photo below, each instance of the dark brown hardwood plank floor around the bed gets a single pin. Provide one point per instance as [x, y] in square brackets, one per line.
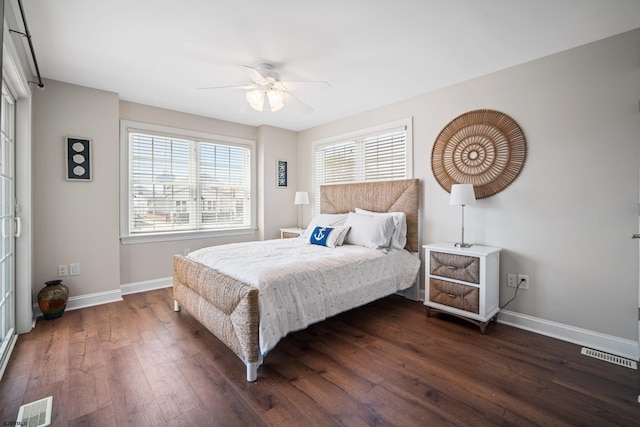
[138, 363]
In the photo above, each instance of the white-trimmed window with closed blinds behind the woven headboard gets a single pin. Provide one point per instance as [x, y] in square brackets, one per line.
[378, 154]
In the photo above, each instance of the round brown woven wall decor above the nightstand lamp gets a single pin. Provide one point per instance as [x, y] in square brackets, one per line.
[485, 148]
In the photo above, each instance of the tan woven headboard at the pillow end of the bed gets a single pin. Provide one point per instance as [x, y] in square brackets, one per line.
[384, 196]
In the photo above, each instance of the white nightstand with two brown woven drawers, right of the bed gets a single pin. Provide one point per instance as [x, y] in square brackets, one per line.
[463, 282]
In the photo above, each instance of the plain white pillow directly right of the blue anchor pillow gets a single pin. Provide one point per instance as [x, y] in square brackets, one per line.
[370, 231]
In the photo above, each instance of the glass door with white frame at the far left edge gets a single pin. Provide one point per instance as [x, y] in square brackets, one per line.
[9, 226]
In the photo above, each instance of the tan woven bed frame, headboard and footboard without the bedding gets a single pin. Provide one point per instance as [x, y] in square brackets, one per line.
[229, 309]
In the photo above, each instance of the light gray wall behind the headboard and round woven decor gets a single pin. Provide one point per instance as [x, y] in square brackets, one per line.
[567, 220]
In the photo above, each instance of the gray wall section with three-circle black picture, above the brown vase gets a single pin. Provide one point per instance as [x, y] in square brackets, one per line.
[75, 221]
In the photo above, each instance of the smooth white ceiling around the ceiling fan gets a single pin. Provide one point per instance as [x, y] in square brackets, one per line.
[373, 52]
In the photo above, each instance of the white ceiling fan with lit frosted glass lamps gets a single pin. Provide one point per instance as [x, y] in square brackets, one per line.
[267, 92]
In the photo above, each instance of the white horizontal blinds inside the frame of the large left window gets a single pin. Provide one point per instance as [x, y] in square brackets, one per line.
[185, 185]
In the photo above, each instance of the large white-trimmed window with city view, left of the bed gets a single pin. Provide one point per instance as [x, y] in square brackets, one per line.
[177, 183]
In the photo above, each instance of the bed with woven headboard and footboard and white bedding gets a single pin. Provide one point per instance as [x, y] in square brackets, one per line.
[249, 295]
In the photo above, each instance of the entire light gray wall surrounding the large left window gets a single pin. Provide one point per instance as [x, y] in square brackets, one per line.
[79, 221]
